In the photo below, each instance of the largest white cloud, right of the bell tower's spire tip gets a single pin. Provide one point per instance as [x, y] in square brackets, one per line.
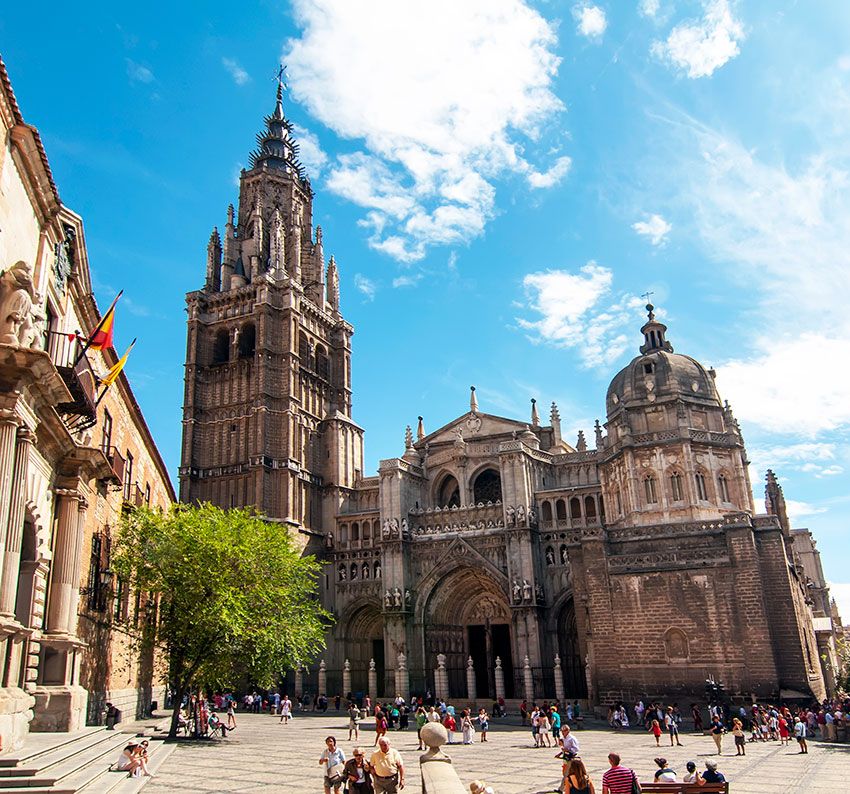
[429, 157]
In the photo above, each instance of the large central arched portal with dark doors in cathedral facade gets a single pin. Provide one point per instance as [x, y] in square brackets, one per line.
[467, 614]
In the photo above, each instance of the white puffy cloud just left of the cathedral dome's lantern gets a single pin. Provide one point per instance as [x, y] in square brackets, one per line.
[572, 314]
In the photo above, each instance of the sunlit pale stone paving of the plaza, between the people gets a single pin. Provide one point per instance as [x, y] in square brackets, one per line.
[262, 755]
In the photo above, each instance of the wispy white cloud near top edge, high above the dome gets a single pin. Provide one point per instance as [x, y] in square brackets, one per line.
[700, 47]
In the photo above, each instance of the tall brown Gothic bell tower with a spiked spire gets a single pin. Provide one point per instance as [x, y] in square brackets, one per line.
[267, 406]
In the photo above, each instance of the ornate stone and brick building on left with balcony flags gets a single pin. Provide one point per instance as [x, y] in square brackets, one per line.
[63, 480]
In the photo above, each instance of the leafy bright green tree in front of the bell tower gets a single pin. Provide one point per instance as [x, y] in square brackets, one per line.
[234, 594]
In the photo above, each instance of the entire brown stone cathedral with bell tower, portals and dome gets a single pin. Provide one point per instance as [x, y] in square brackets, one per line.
[640, 562]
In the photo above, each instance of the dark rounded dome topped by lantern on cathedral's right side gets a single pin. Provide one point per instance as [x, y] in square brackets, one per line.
[659, 374]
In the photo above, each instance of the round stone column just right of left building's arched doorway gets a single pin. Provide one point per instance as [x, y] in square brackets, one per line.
[64, 576]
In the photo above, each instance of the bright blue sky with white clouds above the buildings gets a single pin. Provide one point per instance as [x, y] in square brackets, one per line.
[499, 182]
